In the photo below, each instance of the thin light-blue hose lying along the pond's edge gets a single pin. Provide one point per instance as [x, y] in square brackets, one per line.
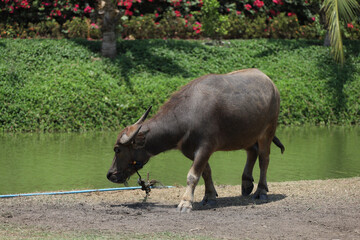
[73, 192]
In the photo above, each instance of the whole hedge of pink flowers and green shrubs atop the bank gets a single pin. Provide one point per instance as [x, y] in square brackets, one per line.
[165, 19]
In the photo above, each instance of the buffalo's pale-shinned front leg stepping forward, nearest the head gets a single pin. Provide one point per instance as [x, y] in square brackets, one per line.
[200, 161]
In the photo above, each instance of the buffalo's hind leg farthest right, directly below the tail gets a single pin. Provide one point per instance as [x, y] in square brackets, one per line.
[264, 152]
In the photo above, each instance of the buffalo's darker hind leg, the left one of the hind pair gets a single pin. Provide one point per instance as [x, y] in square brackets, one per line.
[247, 177]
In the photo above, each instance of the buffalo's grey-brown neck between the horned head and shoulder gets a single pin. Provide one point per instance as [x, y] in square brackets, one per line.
[164, 133]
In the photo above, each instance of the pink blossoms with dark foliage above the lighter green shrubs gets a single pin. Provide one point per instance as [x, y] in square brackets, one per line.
[62, 10]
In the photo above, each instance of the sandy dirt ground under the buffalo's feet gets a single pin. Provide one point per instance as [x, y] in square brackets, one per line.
[322, 209]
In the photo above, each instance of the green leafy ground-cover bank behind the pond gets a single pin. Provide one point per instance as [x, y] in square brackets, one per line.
[64, 85]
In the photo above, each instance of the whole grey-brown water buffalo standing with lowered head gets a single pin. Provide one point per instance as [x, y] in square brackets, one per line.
[238, 110]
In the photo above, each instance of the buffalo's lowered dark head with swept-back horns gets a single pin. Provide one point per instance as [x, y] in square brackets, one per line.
[130, 154]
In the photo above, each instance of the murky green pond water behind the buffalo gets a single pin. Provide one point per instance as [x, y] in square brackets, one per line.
[68, 161]
